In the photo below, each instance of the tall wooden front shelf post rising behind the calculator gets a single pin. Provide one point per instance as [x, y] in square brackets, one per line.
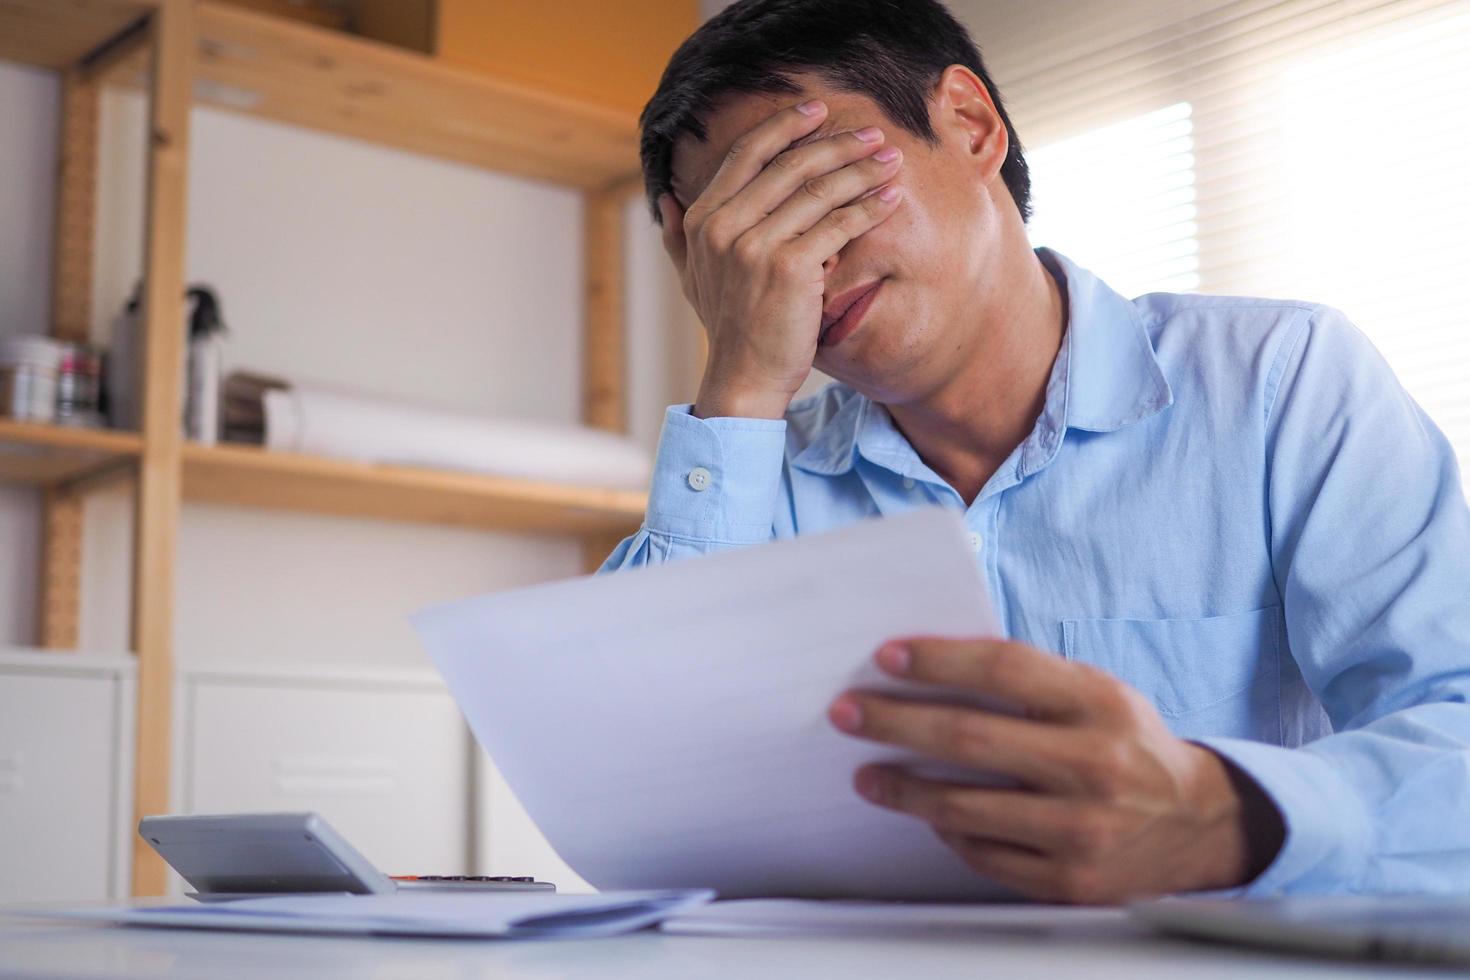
[161, 468]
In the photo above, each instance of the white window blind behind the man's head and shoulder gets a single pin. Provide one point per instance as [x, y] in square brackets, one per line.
[1302, 149]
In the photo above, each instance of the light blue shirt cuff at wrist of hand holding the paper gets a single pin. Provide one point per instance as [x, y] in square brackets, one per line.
[1328, 829]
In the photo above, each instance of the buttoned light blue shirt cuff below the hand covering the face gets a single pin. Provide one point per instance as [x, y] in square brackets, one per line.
[717, 480]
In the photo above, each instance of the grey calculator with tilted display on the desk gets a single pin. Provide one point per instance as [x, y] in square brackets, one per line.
[248, 856]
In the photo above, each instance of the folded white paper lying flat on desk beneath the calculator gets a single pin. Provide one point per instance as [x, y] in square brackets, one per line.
[484, 916]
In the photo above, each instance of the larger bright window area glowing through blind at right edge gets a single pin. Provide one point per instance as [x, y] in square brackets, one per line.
[1378, 161]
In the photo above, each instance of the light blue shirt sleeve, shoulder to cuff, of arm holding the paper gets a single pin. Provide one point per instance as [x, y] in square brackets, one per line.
[1371, 547]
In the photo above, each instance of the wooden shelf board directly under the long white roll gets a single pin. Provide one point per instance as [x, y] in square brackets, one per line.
[252, 477]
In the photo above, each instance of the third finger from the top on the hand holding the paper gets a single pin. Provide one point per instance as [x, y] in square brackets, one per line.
[1044, 824]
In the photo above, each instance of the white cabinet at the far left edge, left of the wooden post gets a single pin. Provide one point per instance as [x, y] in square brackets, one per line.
[65, 777]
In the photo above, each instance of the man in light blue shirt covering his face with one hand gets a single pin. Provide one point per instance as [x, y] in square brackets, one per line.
[1231, 553]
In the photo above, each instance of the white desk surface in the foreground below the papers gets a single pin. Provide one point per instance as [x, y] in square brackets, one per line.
[1116, 951]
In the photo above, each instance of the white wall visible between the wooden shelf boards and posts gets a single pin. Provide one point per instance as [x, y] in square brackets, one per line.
[340, 262]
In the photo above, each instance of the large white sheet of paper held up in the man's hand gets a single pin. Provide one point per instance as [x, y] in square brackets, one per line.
[667, 728]
